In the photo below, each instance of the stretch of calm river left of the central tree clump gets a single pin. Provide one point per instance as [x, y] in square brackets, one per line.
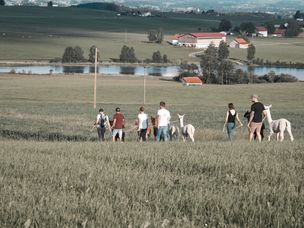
[166, 71]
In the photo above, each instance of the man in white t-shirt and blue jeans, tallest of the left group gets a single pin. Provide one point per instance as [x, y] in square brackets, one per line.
[163, 120]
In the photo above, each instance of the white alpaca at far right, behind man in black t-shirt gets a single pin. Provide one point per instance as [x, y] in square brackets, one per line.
[277, 126]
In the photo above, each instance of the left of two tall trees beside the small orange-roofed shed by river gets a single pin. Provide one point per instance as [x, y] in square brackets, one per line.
[209, 64]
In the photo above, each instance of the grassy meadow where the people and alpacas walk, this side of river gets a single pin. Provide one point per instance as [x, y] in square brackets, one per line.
[53, 172]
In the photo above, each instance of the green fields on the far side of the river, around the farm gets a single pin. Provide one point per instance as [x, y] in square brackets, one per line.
[32, 33]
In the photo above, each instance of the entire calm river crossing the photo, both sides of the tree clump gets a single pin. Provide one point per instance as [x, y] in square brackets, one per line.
[165, 71]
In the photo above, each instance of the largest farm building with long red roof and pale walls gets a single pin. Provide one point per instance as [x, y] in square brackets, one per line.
[201, 40]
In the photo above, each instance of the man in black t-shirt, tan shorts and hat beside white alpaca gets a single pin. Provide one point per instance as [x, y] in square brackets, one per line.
[257, 115]
